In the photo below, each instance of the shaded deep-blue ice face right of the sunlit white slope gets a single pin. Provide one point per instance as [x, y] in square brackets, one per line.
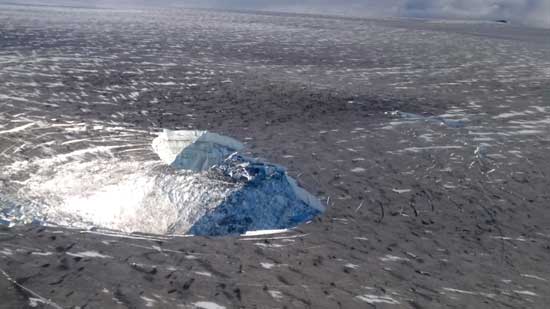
[269, 199]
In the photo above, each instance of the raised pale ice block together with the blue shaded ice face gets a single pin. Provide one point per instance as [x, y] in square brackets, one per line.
[267, 199]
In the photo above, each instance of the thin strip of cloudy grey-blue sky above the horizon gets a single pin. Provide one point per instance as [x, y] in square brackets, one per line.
[534, 12]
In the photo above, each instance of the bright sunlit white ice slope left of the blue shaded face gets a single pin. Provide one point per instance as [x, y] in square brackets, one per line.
[126, 196]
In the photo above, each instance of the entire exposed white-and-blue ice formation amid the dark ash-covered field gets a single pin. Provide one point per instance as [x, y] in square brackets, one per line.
[201, 186]
